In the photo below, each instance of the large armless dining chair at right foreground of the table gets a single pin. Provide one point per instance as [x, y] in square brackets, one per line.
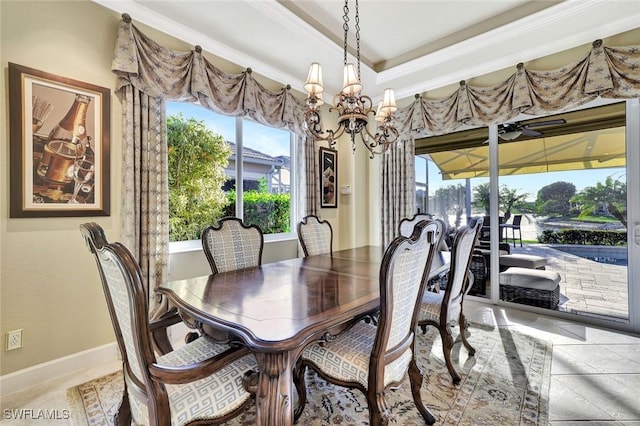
[375, 358]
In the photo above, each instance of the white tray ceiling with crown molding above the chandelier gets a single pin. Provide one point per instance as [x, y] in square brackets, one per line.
[413, 46]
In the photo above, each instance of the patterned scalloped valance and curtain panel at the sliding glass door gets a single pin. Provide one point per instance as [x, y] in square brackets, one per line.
[607, 72]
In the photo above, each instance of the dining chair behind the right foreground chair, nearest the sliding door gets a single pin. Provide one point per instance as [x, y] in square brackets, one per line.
[444, 310]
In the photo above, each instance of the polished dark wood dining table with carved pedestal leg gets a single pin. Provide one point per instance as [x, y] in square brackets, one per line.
[276, 309]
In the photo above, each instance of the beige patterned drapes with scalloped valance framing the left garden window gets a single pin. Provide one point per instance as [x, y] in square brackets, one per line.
[148, 76]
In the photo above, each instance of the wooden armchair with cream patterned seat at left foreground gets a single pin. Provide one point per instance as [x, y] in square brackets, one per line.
[202, 381]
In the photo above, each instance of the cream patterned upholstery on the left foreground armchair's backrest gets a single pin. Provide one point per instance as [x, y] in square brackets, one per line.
[120, 298]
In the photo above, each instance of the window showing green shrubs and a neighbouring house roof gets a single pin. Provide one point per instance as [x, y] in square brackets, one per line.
[254, 177]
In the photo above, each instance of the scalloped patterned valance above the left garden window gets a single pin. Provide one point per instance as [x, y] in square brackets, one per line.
[186, 76]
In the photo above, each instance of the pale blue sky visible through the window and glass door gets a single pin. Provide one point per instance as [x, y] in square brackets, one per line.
[276, 142]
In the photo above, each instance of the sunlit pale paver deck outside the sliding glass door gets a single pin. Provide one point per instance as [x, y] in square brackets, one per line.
[586, 287]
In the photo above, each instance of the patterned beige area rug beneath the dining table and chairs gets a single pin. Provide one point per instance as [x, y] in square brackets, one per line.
[505, 383]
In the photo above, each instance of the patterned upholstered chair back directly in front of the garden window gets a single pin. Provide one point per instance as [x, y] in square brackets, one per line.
[233, 246]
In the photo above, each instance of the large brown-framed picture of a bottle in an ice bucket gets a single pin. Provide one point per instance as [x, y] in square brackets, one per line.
[59, 145]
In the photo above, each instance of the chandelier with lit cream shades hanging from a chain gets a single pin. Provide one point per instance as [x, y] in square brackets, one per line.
[354, 109]
